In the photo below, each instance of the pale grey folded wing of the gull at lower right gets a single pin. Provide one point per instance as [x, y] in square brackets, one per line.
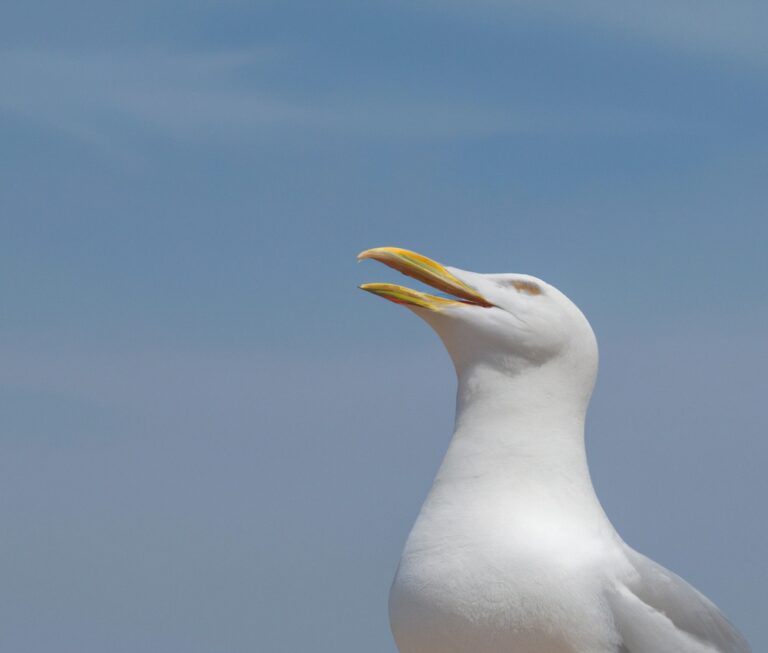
[656, 611]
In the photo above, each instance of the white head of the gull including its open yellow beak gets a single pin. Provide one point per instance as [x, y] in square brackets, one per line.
[509, 323]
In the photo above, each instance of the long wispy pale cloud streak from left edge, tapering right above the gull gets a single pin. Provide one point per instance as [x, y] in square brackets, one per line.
[212, 97]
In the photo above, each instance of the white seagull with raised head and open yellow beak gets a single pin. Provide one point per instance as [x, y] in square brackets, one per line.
[512, 551]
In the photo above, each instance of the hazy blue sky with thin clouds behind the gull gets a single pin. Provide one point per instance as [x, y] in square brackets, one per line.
[211, 442]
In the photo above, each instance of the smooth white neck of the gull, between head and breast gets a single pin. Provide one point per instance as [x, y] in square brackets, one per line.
[519, 435]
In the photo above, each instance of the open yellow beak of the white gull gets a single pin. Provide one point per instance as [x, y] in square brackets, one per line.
[425, 270]
